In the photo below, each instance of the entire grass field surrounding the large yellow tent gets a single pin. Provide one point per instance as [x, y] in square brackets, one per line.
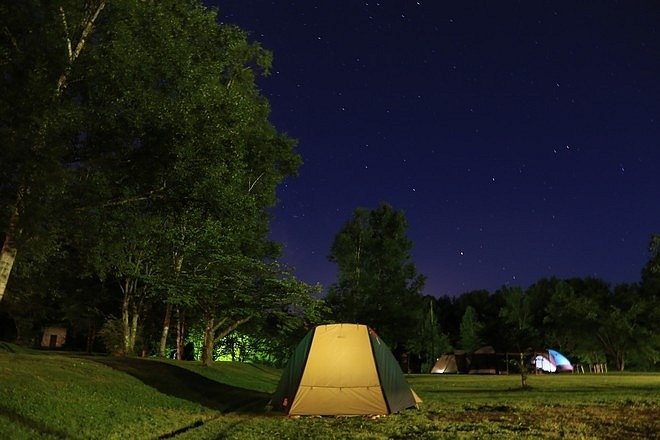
[54, 395]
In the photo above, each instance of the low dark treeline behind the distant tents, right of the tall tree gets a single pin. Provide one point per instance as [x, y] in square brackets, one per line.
[585, 318]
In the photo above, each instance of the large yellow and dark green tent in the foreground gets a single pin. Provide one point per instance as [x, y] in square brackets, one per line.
[342, 369]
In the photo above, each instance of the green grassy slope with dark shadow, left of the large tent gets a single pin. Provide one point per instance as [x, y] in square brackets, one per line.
[59, 395]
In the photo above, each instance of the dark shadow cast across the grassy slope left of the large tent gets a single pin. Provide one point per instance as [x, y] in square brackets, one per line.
[185, 384]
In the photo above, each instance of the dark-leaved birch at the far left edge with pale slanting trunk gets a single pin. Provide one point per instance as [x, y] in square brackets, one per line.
[41, 43]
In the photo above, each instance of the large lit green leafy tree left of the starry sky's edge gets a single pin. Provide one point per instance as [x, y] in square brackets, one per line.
[201, 115]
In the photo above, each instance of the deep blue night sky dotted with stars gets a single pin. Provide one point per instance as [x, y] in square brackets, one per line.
[520, 138]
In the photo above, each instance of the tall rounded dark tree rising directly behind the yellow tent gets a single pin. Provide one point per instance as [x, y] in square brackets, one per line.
[378, 284]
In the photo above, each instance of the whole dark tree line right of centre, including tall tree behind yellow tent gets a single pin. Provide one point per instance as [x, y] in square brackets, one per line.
[585, 318]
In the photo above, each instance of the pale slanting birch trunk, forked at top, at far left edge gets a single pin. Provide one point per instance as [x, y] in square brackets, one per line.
[9, 247]
